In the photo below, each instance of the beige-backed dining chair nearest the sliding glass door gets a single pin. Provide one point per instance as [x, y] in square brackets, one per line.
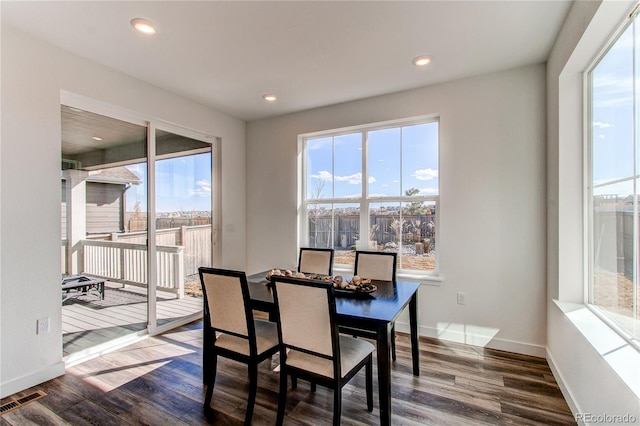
[240, 337]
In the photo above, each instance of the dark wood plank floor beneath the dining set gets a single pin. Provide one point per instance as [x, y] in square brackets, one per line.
[159, 382]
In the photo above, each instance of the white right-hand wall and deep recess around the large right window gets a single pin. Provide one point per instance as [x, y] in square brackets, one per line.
[597, 374]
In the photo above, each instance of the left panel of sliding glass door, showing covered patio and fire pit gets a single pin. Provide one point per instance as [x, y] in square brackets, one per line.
[104, 229]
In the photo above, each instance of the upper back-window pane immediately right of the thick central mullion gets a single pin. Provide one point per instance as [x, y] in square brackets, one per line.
[383, 162]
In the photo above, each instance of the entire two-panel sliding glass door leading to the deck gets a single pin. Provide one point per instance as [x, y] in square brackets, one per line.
[137, 216]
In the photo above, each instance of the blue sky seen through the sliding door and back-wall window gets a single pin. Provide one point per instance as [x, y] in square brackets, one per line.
[399, 159]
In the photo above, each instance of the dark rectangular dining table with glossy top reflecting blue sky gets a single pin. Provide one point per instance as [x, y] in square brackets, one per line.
[373, 312]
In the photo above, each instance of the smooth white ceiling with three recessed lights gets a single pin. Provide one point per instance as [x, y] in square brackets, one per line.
[227, 54]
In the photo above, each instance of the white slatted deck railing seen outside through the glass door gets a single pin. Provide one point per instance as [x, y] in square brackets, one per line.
[126, 263]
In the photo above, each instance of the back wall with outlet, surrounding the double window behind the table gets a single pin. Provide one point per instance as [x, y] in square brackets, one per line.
[492, 207]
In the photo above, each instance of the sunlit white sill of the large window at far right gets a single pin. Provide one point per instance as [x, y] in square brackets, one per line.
[621, 356]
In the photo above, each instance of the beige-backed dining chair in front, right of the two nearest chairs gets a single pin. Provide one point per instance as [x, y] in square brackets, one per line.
[312, 348]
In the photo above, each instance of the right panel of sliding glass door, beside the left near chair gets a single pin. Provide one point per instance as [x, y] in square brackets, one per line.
[183, 219]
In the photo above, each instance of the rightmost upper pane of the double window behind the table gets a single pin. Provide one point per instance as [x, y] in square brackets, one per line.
[420, 159]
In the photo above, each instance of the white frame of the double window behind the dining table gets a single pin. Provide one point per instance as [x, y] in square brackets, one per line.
[364, 200]
